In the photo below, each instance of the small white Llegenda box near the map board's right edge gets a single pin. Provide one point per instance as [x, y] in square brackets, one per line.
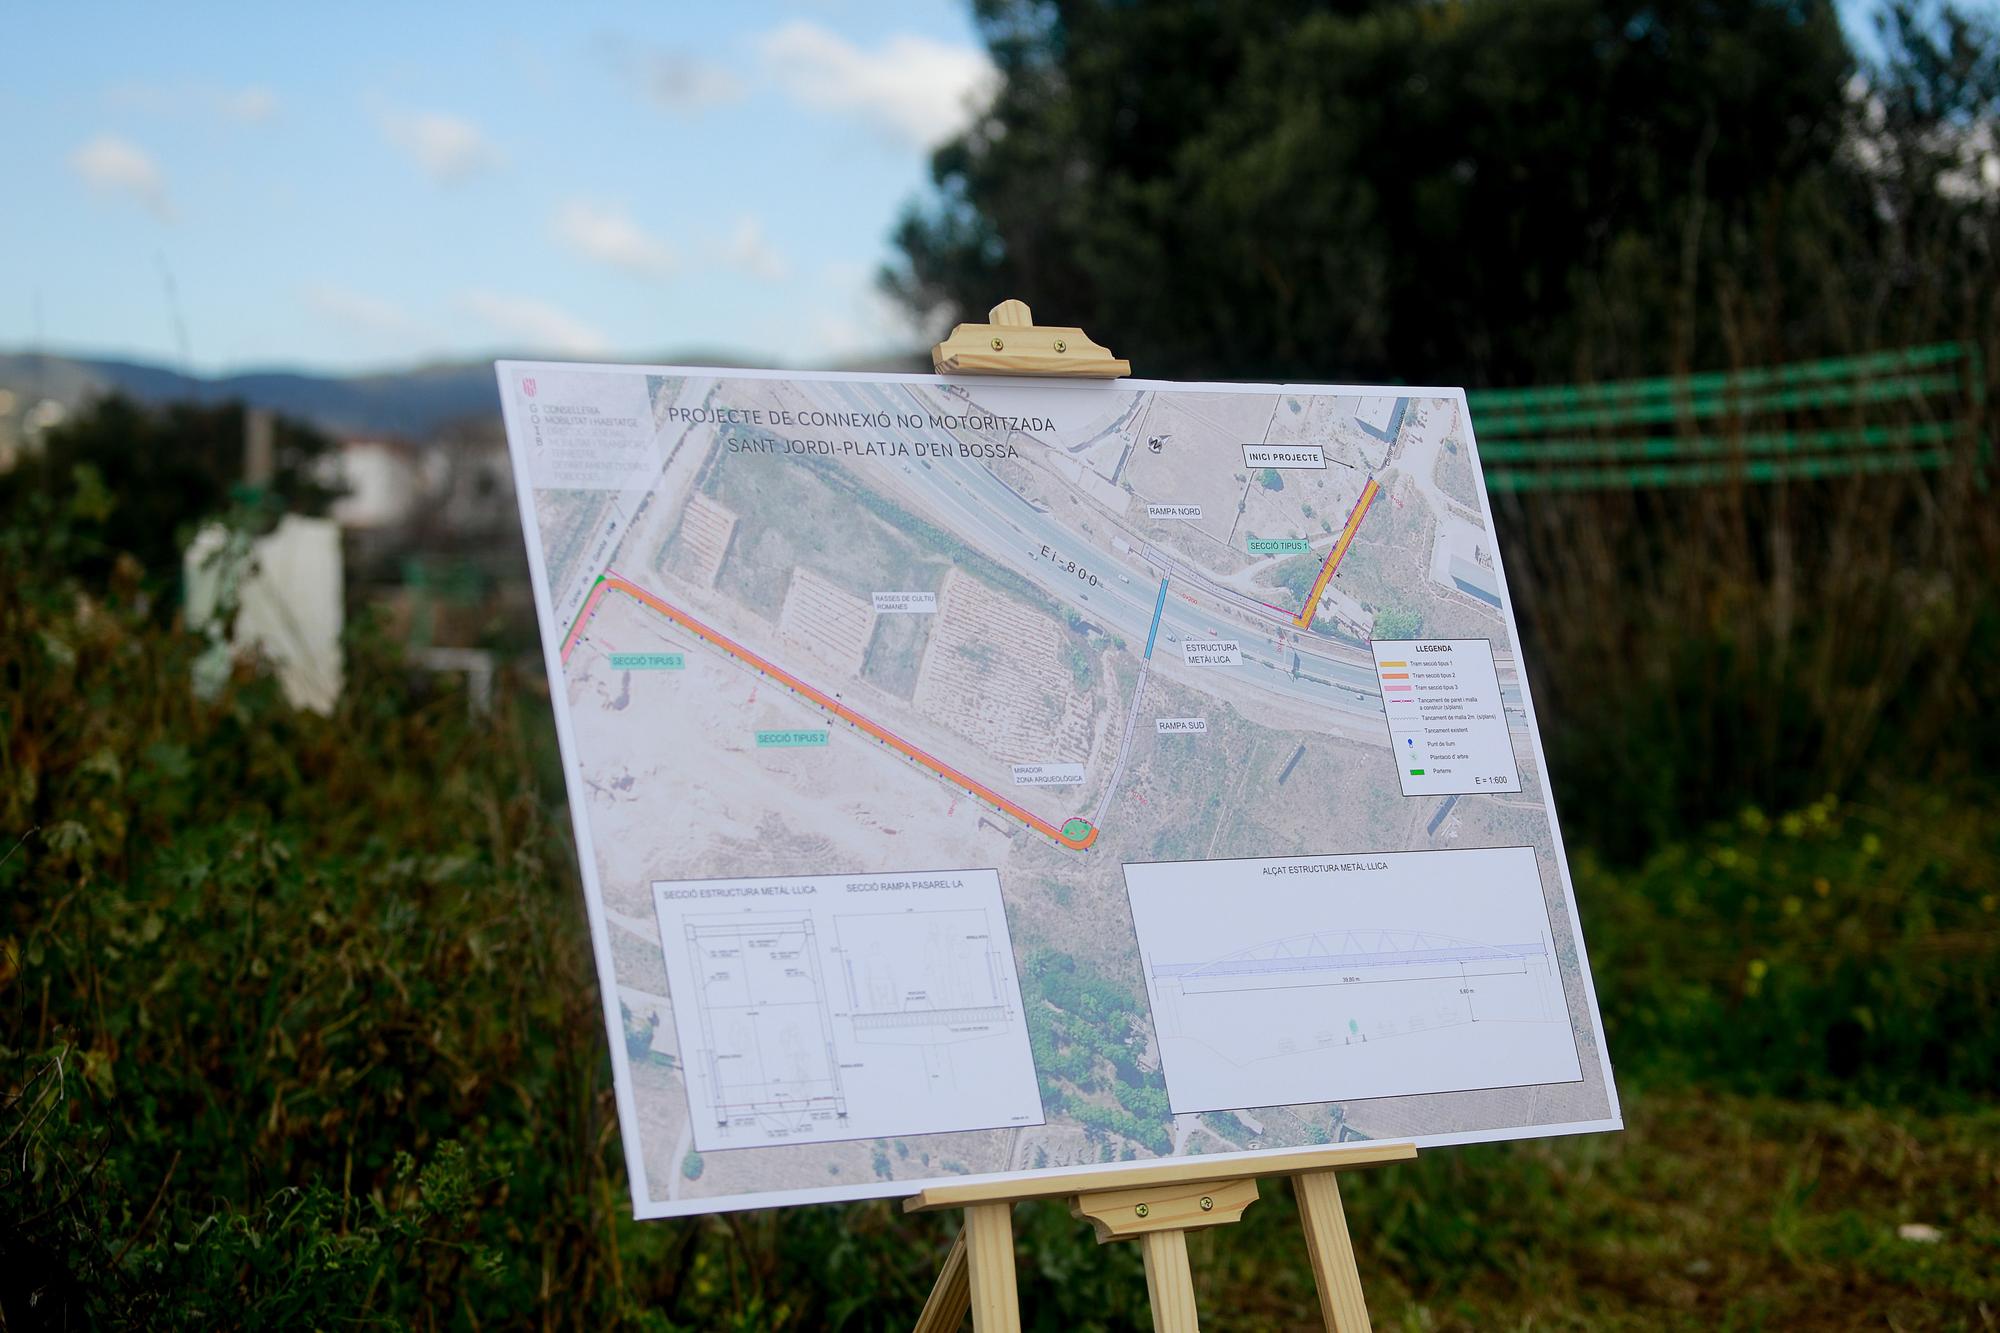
[1445, 718]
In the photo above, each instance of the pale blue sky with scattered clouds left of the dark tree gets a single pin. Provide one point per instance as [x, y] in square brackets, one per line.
[369, 185]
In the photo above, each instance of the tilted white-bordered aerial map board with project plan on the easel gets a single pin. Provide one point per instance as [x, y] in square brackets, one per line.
[983, 778]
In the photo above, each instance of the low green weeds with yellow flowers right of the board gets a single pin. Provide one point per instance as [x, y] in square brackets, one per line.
[1839, 952]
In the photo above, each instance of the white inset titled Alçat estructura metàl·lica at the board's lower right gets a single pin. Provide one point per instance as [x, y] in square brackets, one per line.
[1463, 998]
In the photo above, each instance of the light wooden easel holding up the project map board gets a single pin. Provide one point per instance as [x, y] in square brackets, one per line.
[1159, 1204]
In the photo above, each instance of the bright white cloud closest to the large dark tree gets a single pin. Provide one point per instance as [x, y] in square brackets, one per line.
[913, 87]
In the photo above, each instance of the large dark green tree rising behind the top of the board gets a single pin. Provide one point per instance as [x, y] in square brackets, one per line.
[1487, 191]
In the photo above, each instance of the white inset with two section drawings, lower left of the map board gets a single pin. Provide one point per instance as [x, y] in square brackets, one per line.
[847, 1008]
